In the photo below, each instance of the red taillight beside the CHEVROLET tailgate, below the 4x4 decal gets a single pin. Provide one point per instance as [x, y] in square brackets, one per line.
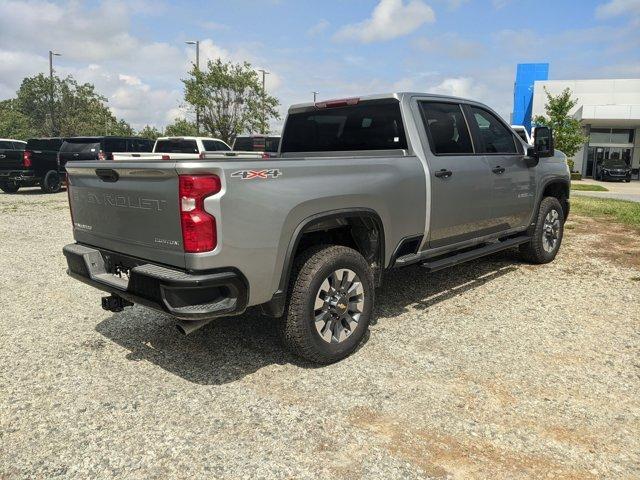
[198, 227]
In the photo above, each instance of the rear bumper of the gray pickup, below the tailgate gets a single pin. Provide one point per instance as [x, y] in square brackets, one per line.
[184, 295]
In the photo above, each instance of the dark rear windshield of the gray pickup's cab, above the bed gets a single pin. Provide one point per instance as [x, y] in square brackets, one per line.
[373, 125]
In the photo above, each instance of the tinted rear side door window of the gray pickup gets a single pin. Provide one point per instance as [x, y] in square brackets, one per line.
[446, 128]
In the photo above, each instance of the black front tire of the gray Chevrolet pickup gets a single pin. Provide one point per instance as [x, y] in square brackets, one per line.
[537, 250]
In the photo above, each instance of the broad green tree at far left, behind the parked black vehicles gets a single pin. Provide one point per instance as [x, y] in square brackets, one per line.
[78, 109]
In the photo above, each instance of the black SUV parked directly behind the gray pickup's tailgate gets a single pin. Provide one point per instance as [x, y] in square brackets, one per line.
[101, 148]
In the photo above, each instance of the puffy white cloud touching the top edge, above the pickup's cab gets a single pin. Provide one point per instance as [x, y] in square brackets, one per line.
[389, 19]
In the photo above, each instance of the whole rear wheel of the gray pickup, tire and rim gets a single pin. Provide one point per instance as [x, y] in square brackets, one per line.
[330, 304]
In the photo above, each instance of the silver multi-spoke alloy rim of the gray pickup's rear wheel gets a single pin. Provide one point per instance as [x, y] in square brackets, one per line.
[338, 306]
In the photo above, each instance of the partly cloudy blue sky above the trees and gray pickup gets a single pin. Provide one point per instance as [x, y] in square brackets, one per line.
[135, 53]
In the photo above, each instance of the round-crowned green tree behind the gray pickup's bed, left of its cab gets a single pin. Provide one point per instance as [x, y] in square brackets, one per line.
[230, 99]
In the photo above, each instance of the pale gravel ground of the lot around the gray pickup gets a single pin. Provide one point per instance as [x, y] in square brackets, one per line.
[490, 369]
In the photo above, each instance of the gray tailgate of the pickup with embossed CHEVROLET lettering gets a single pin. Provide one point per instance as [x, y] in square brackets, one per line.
[128, 207]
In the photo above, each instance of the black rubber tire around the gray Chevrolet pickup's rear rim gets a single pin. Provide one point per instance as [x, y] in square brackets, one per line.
[311, 270]
